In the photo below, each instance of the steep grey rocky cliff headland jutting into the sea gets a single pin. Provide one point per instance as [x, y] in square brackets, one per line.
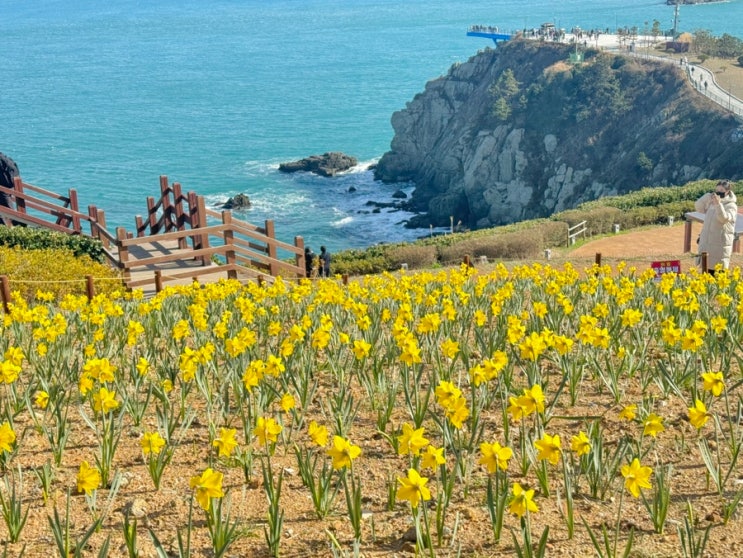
[522, 131]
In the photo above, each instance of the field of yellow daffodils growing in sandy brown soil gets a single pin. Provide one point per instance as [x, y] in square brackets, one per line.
[503, 412]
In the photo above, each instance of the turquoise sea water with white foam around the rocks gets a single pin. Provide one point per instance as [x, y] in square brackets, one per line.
[106, 97]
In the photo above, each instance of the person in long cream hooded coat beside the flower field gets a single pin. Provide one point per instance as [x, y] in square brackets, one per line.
[720, 210]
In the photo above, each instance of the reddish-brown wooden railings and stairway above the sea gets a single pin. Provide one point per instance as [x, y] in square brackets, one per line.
[179, 238]
